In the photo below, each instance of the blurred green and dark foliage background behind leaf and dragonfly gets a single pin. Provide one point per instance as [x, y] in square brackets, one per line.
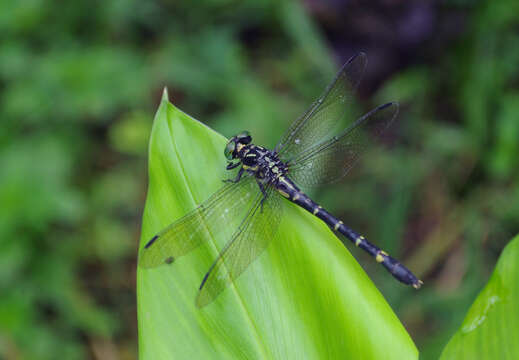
[80, 82]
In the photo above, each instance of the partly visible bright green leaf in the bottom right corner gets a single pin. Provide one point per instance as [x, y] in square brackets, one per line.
[491, 328]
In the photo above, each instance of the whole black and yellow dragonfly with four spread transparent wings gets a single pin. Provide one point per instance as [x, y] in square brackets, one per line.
[248, 208]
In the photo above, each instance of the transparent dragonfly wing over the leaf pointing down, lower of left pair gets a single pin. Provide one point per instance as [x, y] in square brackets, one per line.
[250, 239]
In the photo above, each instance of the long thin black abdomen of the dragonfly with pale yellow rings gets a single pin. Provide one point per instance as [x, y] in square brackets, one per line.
[289, 190]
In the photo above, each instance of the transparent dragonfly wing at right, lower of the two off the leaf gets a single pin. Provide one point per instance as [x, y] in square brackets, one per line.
[333, 158]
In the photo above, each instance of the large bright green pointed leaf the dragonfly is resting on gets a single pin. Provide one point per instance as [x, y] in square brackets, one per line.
[305, 297]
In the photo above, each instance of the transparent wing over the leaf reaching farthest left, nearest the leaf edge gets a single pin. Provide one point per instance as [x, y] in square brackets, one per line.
[222, 212]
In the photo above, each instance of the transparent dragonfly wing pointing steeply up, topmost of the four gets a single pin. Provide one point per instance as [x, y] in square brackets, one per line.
[323, 116]
